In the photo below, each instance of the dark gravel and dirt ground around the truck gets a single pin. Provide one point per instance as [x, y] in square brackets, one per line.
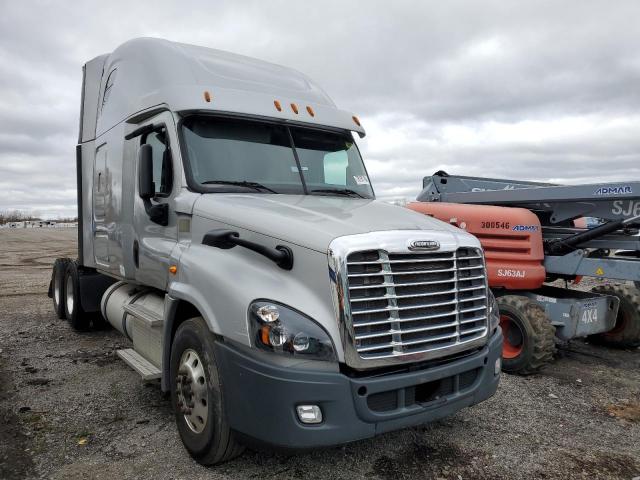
[69, 408]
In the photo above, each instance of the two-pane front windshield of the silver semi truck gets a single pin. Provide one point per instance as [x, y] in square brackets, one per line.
[229, 155]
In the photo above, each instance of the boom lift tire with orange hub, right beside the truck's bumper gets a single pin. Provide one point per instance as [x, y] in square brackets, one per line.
[529, 336]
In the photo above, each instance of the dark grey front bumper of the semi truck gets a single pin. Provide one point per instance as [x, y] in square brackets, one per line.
[260, 399]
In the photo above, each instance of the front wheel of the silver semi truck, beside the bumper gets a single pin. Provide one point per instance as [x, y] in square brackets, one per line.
[197, 396]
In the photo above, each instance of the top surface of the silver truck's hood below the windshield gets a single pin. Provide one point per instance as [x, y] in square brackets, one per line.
[313, 221]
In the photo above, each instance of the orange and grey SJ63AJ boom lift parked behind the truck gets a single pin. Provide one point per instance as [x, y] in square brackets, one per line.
[533, 234]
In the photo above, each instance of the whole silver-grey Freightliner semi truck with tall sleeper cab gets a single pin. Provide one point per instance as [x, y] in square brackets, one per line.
[228, 228]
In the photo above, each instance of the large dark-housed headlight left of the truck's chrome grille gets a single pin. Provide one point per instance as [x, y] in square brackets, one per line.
[280, 329]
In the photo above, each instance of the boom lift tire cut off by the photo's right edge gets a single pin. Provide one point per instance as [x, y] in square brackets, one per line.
[626, 332]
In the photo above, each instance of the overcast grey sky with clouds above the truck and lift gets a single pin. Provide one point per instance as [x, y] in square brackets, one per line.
[534, 90]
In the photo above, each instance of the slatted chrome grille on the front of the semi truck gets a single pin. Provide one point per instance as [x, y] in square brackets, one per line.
[412, 303]
